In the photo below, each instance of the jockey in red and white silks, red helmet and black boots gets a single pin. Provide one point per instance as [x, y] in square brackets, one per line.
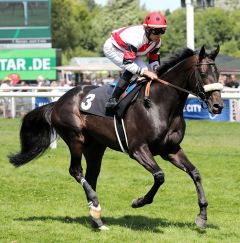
[125, 47]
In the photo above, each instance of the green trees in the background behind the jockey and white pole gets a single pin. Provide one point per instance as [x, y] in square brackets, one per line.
[80, 27]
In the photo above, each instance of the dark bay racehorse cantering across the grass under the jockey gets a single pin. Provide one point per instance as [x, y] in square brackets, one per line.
[155, 130]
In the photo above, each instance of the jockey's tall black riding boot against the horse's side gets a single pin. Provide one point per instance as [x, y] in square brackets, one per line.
[119, 89]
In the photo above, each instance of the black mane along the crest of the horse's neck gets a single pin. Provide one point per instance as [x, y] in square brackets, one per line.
[175, 59]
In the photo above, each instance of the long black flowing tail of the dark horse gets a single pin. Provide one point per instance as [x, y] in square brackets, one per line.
[36, 134]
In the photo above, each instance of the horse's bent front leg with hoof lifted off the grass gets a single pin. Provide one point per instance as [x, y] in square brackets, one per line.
[143, 155]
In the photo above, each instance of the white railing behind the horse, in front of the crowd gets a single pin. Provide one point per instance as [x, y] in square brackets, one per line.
[9, 96]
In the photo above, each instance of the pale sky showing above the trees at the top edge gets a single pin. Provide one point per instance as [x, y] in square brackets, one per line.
[154, 4]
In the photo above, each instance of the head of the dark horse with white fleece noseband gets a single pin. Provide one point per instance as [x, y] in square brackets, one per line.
[207, 86]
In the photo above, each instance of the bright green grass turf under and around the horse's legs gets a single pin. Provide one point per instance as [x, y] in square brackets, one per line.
[40, 202]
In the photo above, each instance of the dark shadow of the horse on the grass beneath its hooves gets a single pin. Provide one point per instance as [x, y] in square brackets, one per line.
[134, 222]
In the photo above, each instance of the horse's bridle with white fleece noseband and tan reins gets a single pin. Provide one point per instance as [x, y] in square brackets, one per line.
[201, 88]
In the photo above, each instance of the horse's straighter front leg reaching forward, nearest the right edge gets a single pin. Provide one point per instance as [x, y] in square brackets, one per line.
[180, 160]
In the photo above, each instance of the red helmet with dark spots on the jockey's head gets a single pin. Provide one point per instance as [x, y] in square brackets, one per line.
[154, 20]
